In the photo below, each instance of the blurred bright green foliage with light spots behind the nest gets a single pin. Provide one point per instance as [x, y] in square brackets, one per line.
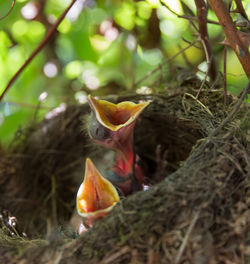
[101, 47]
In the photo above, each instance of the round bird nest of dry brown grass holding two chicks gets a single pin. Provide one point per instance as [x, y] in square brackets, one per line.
[196, 210]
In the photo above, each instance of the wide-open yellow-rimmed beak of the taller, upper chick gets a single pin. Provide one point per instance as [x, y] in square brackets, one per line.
[115, 116]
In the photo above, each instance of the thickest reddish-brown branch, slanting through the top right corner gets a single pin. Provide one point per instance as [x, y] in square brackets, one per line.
[239, 47]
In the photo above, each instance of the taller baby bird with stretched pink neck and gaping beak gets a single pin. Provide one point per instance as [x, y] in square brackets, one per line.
[112, 126]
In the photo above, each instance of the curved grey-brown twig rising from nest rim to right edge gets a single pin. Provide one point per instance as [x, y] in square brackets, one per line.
[233, 112]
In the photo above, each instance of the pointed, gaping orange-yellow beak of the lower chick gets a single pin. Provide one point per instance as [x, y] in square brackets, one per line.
[96, 195]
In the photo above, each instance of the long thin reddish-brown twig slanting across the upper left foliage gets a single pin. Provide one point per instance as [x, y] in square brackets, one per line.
[38, 49]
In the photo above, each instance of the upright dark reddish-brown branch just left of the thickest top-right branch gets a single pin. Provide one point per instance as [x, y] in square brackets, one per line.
[202, 21]
